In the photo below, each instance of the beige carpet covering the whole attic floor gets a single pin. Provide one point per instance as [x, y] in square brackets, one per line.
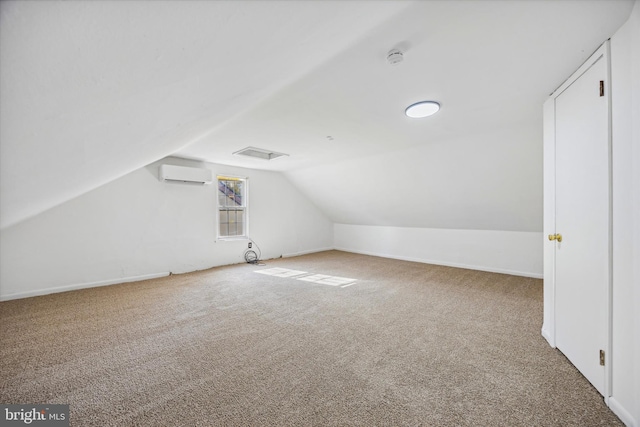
[407, 345]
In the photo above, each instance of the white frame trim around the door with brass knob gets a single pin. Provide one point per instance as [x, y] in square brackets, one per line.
[549, 209]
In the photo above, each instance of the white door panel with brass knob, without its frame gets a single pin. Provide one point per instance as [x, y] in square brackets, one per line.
[582, 219]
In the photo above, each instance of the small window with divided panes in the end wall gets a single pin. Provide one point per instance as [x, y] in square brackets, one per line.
[232, 207]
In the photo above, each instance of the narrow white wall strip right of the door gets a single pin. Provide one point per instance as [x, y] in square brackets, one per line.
[625, 80]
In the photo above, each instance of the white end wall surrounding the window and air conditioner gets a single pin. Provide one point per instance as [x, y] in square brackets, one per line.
[137, 227]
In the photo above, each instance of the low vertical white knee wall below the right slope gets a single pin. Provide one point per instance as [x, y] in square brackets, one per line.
[509, 252]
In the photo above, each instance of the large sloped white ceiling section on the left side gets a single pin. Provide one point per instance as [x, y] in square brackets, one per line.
[90, 91]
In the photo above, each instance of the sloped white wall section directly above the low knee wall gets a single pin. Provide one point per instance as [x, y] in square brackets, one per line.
[484, 181]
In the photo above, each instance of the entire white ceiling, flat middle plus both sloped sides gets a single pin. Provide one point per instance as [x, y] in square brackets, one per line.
[93, 90]
